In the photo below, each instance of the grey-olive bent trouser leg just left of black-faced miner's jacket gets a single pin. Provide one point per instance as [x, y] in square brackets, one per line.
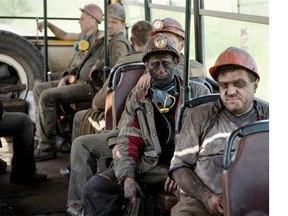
[86, 151]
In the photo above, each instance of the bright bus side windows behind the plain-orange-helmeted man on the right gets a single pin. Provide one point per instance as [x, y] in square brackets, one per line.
[239, 23]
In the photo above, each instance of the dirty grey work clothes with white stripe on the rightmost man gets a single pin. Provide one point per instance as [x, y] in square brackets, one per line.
[201, 145]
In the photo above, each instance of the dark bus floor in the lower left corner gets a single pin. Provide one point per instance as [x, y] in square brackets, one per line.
[41, 199]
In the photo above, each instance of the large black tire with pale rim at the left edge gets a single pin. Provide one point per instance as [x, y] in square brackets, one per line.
[20, 62]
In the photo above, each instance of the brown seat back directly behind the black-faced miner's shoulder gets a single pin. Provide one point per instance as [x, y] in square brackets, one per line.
[122, 81]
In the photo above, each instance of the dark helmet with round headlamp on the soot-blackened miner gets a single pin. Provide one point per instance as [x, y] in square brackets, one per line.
[159, 43]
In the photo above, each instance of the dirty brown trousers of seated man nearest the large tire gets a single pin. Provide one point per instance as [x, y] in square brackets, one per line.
[48, 97]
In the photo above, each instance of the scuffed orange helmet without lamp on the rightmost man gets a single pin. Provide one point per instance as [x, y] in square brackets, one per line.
[234, 56]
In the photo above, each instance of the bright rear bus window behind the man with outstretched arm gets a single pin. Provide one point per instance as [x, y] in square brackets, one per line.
[20, 17]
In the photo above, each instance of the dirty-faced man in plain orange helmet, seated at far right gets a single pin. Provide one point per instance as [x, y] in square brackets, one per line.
[197, 163]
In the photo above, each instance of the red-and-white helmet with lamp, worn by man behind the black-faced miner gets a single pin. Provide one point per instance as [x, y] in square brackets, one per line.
[168, 25]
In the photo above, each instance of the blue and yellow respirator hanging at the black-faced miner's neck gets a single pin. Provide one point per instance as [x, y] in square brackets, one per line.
[164, 98]
